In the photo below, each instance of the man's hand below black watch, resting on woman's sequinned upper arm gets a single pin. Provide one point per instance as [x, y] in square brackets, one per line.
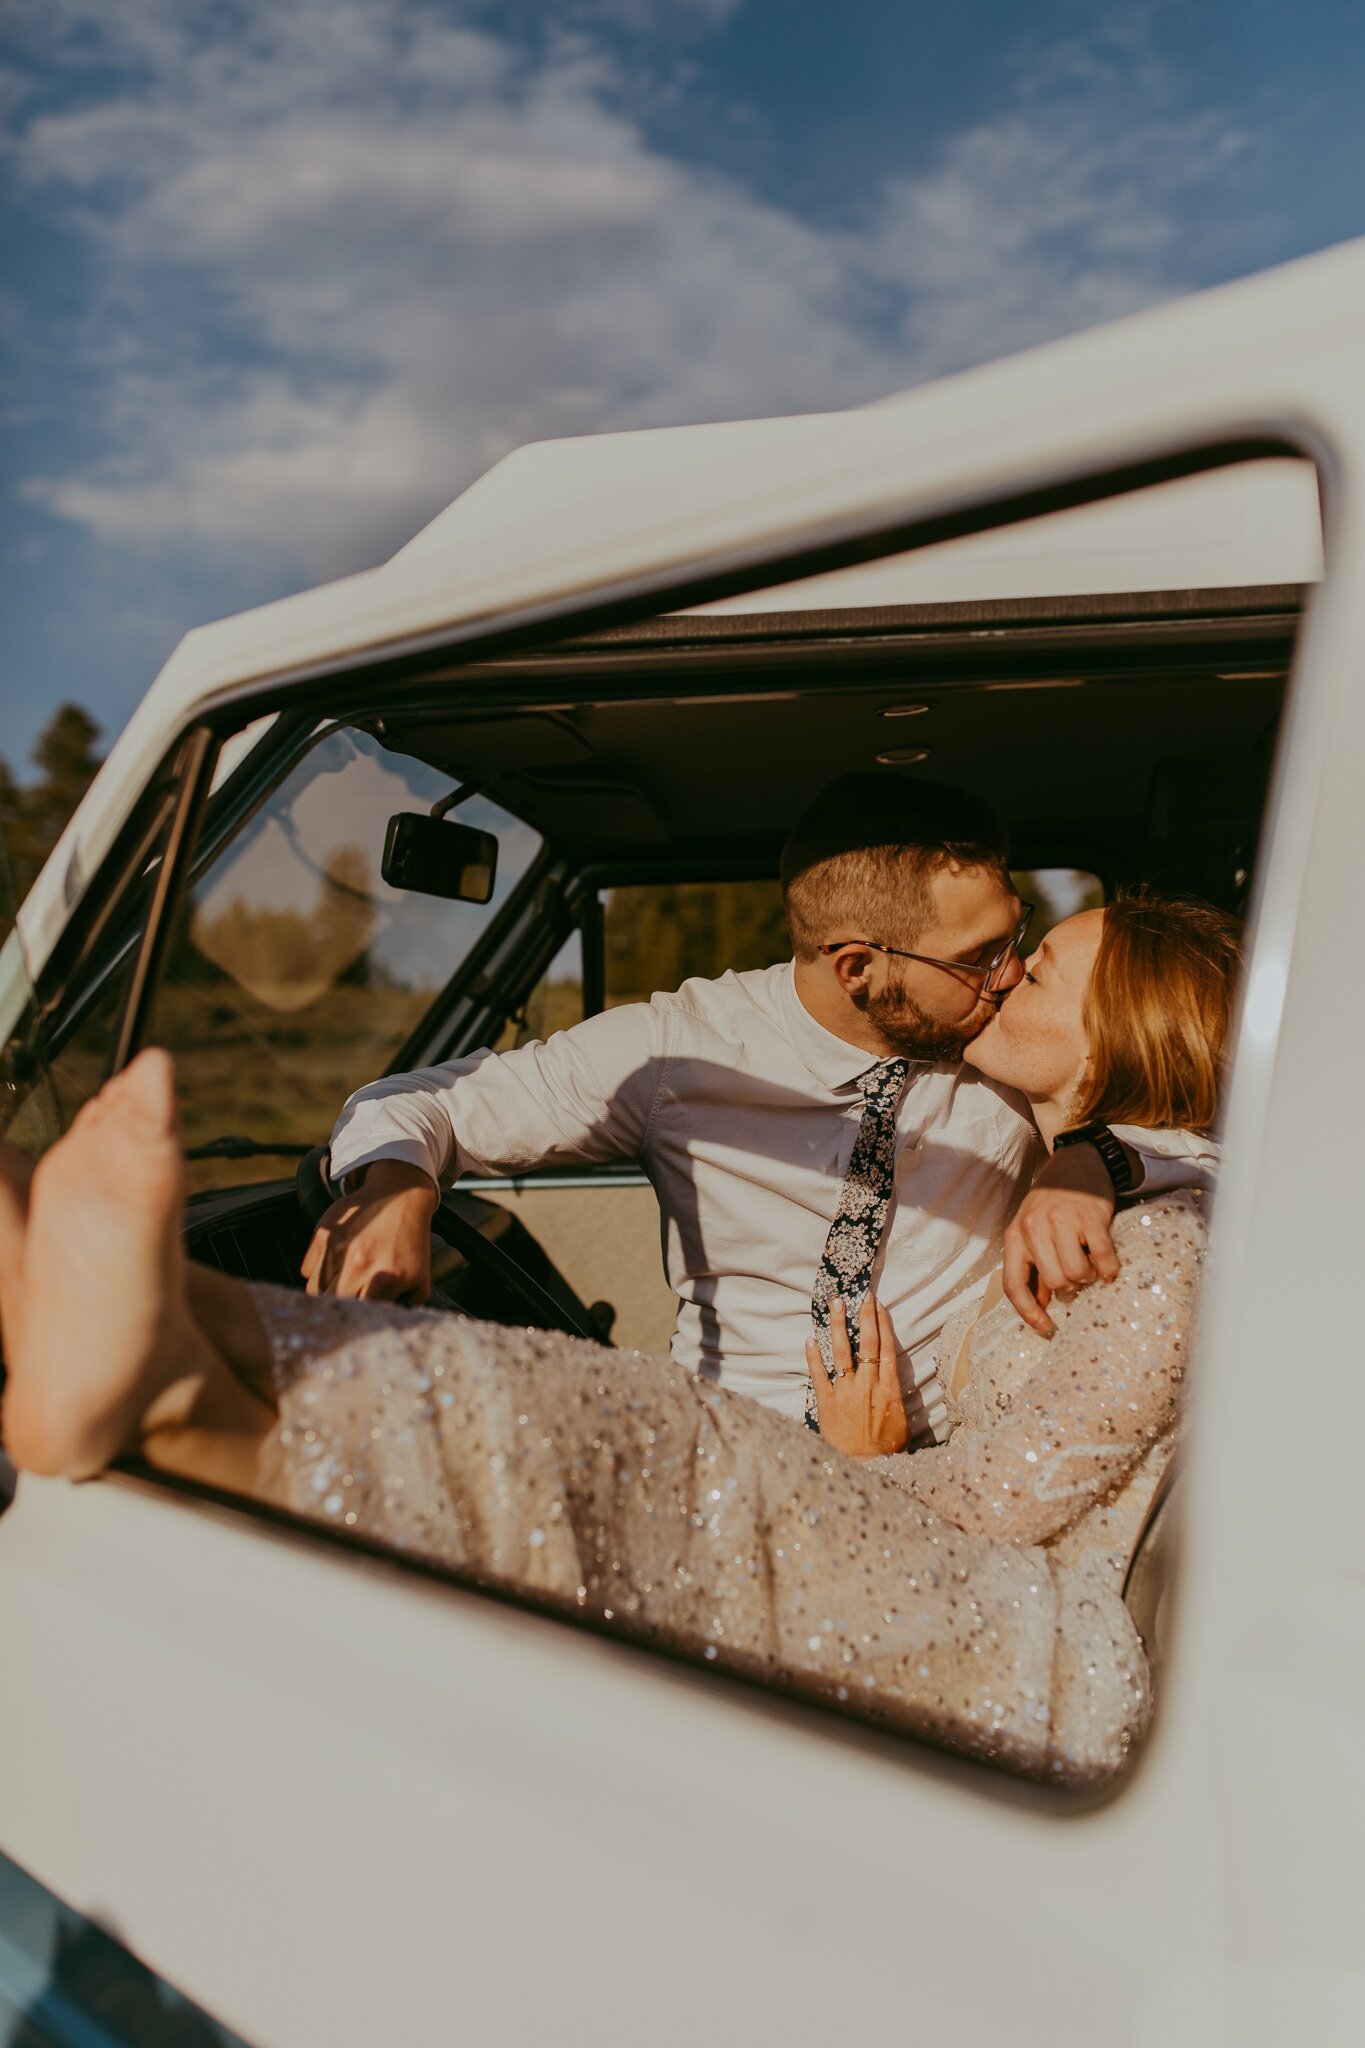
[1061, 1240]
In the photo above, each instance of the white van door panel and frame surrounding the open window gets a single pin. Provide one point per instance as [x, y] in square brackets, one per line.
[421, 1809]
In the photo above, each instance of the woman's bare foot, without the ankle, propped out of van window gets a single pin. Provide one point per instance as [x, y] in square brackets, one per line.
[99, 1338]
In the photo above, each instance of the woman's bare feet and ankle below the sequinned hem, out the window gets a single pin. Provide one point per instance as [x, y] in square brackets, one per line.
[103, 1349]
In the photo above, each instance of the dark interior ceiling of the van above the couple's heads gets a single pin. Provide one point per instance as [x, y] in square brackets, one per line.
[1127, 734]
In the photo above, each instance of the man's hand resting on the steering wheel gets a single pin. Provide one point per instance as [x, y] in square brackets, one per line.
[376, 1244]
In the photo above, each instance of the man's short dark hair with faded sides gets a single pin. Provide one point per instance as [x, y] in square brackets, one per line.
[865, 853]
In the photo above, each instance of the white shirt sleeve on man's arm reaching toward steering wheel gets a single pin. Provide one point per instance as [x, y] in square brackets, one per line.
[586, 1095]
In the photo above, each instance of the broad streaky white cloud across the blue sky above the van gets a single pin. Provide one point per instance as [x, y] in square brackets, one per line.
[357, 253]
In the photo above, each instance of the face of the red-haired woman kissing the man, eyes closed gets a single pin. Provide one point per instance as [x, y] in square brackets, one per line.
[1037, 1039]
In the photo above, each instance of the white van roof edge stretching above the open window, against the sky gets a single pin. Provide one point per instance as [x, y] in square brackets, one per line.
[627, 513]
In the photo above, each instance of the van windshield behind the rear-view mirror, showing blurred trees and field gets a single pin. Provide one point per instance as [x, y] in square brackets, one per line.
[296, 972]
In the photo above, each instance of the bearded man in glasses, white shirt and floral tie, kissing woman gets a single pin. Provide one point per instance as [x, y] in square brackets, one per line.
[809, 1129]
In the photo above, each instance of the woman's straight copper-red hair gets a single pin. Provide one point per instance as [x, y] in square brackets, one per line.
[1159, 1013]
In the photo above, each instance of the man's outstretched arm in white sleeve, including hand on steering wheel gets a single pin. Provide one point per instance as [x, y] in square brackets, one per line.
[586, 1095]
